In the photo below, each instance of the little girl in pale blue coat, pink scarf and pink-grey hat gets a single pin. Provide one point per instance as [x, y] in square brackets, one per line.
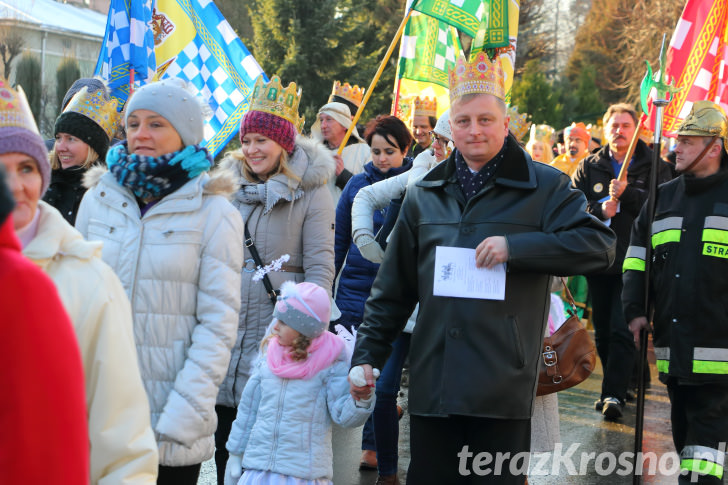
[282, 432]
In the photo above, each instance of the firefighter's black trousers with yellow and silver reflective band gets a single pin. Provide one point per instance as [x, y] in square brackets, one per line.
[699, 416]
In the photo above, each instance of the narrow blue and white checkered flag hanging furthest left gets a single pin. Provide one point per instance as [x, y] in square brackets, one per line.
[128, 47]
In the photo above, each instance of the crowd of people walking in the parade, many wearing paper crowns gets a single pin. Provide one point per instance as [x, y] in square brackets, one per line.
[177, 309]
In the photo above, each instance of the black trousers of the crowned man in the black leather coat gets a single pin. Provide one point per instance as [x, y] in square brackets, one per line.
[468, 450]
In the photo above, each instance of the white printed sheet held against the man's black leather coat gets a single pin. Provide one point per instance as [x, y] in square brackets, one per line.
[457, 276]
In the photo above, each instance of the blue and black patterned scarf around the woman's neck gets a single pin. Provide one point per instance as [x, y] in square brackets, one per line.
[156, 177]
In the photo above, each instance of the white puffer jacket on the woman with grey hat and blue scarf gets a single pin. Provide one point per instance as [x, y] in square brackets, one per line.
[180, 266]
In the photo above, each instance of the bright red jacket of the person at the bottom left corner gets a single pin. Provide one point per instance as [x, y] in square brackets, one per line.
[44, 436]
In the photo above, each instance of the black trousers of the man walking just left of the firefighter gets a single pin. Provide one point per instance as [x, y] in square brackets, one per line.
[614, 341]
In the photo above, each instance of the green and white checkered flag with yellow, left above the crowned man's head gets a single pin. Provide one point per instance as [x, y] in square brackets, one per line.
[428, 51]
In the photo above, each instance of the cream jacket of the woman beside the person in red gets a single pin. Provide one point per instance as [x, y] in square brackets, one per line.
[122, 444]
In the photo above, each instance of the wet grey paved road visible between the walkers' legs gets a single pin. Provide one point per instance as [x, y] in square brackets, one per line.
[583, 430]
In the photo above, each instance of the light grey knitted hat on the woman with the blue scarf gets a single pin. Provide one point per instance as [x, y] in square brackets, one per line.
[173, 102]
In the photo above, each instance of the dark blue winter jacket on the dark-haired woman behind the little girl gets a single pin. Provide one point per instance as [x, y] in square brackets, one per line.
[357, 274]
